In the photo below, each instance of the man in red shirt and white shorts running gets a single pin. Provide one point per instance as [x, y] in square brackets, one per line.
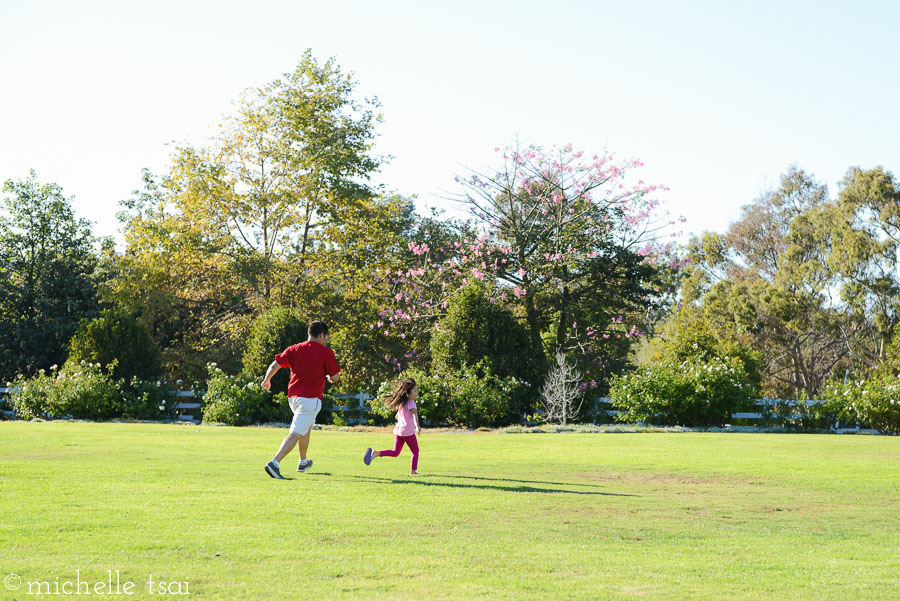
[311, 363]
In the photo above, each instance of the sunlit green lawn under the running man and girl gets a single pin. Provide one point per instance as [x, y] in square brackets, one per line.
[494, 516]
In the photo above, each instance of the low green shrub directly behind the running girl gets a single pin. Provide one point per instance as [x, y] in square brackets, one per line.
[462, 397]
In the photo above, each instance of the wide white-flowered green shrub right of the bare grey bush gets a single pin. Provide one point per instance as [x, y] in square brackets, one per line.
[691, 393]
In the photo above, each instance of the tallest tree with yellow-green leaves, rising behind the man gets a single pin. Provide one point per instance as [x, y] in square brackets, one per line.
[242, 224]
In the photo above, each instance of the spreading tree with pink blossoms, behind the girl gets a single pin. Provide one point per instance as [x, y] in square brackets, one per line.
[574, 244]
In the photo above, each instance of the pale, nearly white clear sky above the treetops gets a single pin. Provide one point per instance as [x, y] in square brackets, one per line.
[717, 98]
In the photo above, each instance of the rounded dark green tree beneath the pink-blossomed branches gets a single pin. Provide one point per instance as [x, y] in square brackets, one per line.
[476, 330]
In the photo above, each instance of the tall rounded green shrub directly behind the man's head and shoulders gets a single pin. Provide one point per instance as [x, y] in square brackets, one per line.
[271, 333]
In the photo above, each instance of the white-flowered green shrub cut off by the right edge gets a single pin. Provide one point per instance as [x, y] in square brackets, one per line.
[874, 402]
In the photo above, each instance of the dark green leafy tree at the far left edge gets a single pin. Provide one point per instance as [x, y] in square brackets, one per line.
[47, 276]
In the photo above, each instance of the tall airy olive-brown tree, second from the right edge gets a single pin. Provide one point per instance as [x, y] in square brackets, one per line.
[766, 284]
